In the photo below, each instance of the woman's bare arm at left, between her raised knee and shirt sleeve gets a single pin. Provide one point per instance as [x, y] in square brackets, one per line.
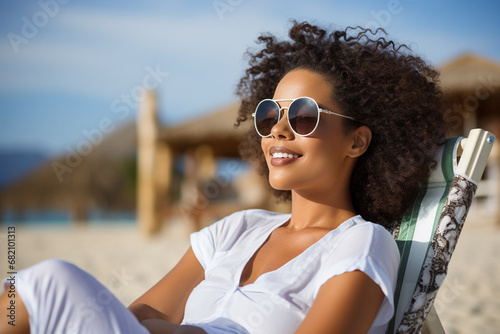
[167, 298]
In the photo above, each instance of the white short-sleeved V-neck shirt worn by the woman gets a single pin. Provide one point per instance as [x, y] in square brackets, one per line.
[278, 301]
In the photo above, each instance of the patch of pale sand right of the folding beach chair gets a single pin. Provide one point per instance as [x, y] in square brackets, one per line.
[469, 299]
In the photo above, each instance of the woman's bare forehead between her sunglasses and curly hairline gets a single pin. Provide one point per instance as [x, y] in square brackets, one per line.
[302, 82]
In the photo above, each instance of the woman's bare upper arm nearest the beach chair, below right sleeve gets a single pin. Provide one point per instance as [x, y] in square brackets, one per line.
[347, 303]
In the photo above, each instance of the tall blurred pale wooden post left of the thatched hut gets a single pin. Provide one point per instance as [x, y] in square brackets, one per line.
[147, 137]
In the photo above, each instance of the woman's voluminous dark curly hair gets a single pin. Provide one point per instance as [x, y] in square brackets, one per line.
[394, 93]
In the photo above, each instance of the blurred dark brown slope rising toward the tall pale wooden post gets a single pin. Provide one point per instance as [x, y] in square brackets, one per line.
[102, 179]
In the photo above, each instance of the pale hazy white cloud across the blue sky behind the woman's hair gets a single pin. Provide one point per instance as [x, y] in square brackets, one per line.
[102, 53]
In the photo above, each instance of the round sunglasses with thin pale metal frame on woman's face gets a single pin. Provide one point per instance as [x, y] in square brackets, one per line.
[303, 115]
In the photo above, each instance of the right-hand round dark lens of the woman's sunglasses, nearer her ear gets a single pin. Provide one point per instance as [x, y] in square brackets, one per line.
[303, 116]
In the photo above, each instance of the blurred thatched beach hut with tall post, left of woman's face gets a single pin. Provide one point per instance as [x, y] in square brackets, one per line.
[202, 192]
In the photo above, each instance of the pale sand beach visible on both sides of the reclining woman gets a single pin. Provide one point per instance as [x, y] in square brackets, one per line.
[128, 264]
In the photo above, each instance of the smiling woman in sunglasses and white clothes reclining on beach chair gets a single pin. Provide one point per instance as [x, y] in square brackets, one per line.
[347, 125]
